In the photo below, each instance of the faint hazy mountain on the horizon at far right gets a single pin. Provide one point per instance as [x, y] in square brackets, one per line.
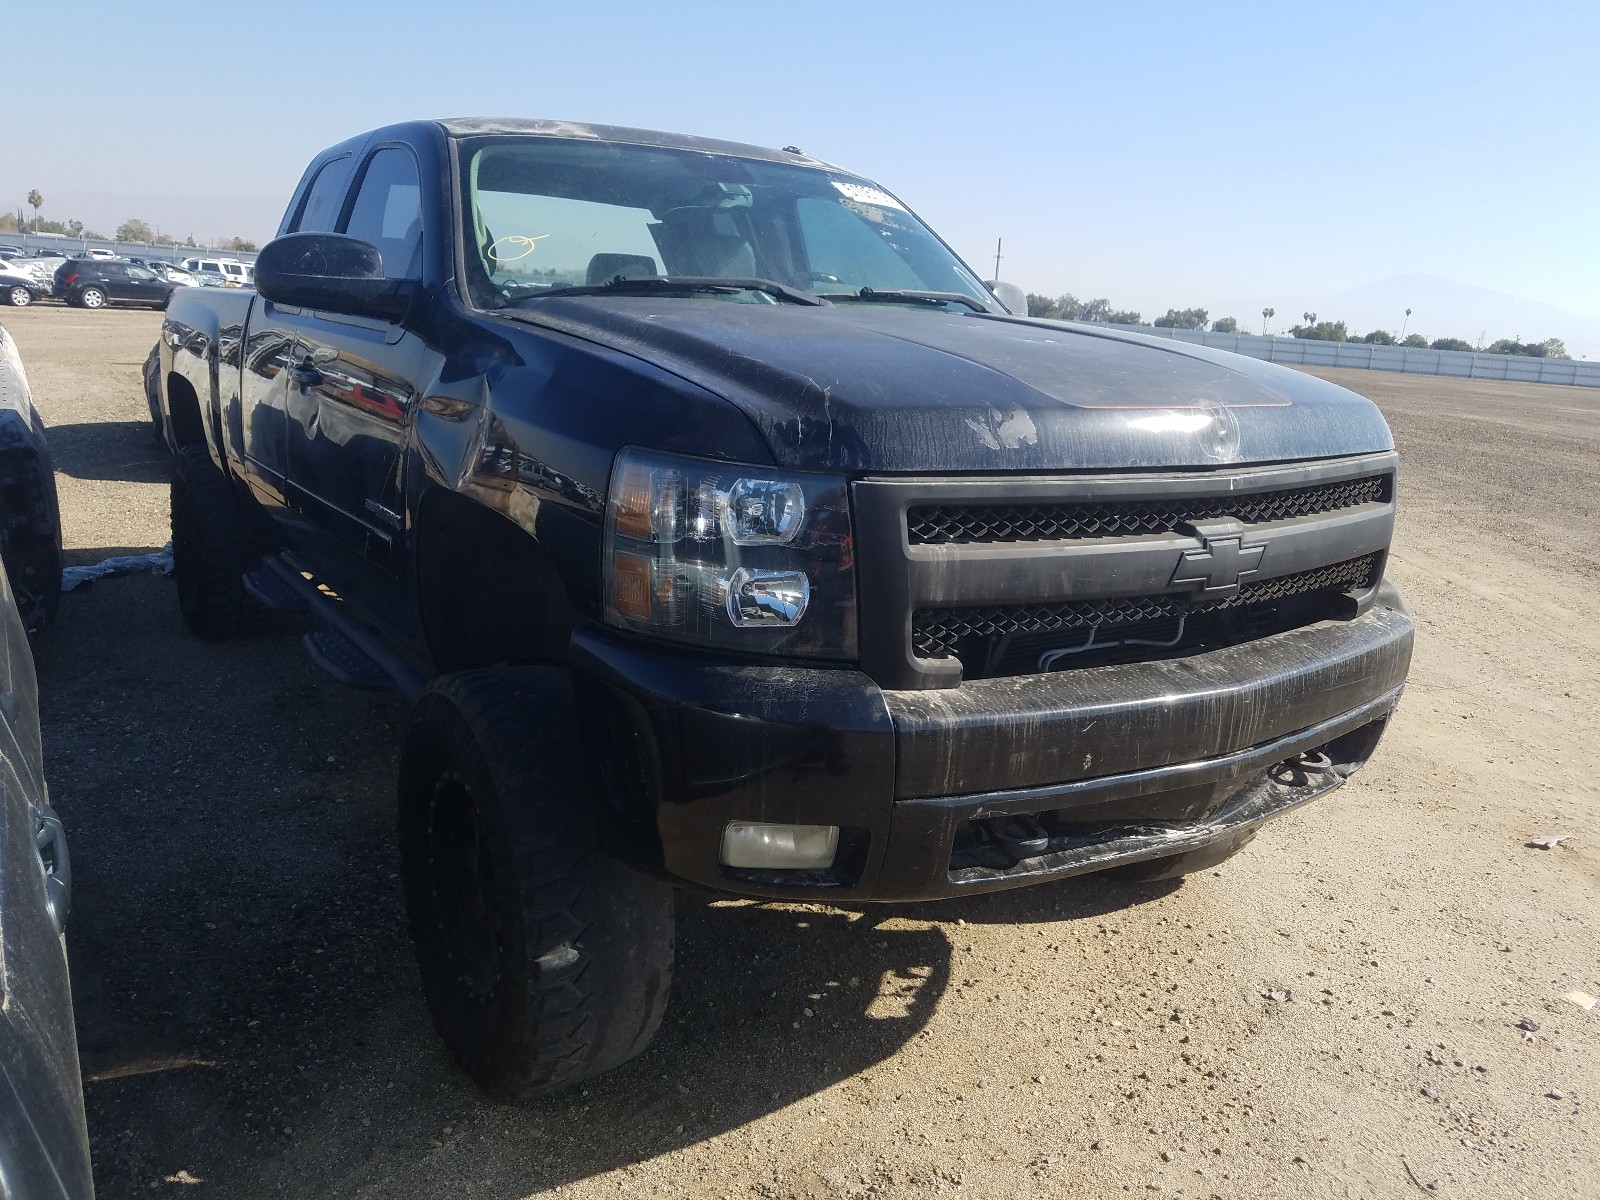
[1446, 310]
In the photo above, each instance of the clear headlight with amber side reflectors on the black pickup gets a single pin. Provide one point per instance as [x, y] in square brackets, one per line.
[727, 556]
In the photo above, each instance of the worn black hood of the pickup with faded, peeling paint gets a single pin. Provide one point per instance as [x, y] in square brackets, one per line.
[894, 390]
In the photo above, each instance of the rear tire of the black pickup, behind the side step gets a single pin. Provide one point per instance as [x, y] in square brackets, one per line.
[212, 548]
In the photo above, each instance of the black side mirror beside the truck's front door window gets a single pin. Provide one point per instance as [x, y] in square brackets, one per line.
[332, 273]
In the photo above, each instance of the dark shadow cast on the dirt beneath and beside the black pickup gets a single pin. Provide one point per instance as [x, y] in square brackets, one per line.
[249, 1010]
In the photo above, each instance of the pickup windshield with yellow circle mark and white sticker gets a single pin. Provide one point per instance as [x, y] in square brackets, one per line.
[546, 214]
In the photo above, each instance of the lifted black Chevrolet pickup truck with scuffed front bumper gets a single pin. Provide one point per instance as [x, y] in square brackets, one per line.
[726, 530]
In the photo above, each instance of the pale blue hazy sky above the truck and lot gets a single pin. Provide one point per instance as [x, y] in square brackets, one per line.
[1158, 154]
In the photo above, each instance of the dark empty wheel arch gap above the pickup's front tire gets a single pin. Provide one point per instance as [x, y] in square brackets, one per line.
[487, 591]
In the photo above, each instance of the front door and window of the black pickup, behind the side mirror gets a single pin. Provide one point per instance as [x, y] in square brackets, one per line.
[353, 390]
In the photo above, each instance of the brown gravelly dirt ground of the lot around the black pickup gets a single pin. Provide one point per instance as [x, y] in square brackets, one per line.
[252, 1023]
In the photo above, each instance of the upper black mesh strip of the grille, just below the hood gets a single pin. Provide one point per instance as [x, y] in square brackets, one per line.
[964, 524]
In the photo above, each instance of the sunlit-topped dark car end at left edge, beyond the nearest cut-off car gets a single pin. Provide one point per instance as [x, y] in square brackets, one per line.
[30, 516]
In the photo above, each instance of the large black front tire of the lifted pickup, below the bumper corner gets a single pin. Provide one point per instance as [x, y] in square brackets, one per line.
[545, 961]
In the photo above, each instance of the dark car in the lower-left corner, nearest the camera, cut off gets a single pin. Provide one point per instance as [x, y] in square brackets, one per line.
[44, 1135]
